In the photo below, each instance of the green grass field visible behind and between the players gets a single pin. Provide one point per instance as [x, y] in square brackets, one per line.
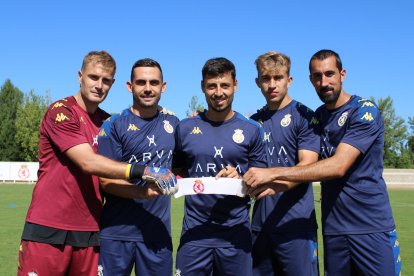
[15, 198]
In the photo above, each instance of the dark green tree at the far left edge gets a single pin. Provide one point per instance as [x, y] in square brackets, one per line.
[10, 98]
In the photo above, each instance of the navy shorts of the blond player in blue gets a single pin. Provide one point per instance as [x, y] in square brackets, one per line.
[285, 254]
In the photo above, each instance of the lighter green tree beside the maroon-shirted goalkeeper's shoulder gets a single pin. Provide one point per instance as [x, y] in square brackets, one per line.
[29, 115]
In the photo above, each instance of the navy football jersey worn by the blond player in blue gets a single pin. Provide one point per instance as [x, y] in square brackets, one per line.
[287, 131]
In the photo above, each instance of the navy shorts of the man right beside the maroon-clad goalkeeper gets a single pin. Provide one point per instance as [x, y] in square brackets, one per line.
[118, 258]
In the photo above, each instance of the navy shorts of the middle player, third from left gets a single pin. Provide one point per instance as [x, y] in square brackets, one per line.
[196, 260]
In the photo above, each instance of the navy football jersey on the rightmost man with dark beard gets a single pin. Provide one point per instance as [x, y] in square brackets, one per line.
[358, 202]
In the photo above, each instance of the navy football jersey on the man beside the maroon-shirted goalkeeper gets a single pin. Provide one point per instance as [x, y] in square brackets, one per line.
[129, 138]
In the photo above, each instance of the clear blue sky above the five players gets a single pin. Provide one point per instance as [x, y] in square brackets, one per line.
[43, 43]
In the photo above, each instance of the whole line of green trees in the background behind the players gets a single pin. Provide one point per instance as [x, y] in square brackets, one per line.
[21, 114]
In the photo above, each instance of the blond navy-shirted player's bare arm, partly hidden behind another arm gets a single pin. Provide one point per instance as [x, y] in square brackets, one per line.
[305, 157]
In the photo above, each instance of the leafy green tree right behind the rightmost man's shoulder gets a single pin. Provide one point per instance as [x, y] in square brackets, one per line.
[395, 136]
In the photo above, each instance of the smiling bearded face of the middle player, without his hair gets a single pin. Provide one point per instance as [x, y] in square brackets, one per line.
[219, 91]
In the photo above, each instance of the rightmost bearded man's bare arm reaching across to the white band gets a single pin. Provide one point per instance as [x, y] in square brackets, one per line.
[330, 168]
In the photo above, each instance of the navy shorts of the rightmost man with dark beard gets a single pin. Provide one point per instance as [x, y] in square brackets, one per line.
[363, 254]
